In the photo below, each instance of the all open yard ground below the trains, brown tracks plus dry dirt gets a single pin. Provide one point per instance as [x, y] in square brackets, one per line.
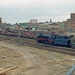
[27, 57]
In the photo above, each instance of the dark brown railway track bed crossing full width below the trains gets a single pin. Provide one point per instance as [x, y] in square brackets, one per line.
[33, 43]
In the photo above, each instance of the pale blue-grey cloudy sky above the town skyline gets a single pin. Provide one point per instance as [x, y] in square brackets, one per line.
[12, 11]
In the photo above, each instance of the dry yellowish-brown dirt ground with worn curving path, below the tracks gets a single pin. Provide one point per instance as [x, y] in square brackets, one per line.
[24, 60]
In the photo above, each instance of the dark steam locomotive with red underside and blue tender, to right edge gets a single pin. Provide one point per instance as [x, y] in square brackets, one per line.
[58, 40]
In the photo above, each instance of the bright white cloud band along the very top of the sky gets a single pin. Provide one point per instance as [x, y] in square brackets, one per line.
[35, 2]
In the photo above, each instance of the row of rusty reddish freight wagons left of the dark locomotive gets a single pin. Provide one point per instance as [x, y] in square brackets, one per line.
[21, 34]
